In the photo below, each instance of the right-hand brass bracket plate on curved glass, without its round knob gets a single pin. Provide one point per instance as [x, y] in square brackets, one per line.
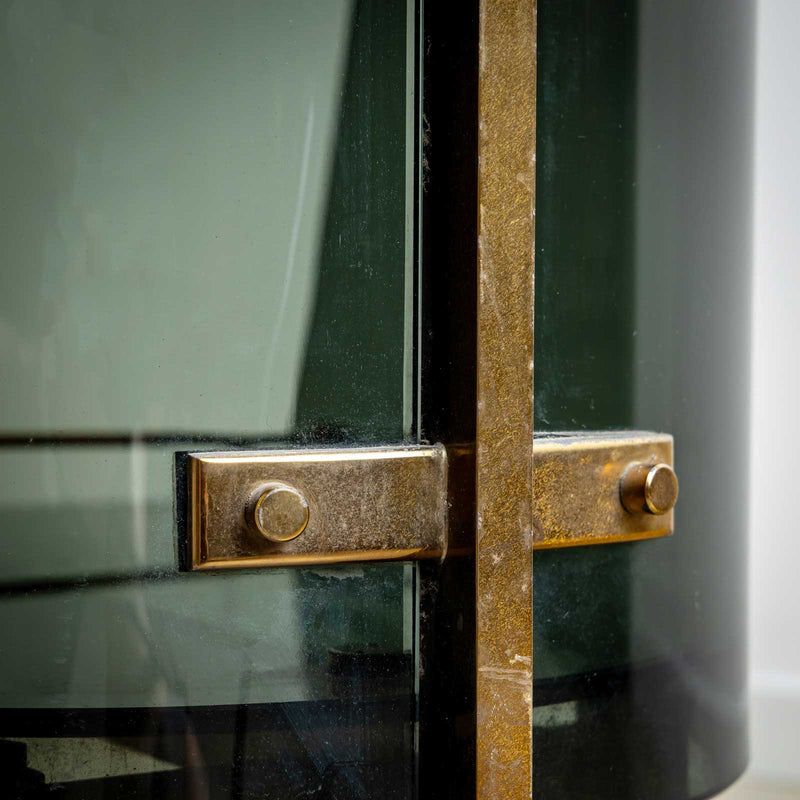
[577, 479]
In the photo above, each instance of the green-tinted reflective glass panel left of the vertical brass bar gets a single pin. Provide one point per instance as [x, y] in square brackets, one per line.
[207, 245]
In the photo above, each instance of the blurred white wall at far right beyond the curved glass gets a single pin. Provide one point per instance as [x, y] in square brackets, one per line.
[775, 428]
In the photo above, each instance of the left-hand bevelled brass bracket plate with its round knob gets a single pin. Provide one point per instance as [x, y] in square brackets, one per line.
[364, 504]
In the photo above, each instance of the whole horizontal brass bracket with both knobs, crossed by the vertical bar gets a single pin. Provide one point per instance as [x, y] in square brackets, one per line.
[296, 507]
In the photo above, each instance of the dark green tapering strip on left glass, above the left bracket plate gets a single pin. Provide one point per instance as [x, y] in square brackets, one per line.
[352, 383]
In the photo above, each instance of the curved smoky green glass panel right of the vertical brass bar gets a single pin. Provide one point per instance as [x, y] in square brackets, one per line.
[642, 321]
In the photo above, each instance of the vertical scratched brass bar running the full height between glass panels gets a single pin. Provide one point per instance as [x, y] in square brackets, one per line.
[504, 445]
